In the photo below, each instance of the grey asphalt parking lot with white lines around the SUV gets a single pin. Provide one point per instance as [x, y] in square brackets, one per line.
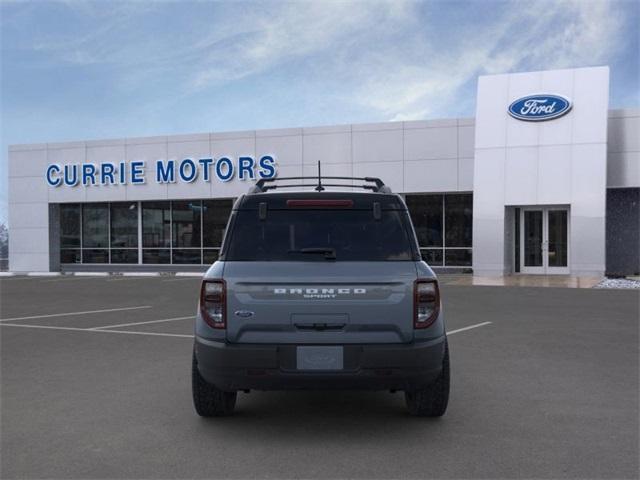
[96, 384]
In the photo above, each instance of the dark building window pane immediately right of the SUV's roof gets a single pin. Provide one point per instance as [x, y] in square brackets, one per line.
[426, 214]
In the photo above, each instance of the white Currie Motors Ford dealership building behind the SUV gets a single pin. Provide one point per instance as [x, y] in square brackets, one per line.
[544, 180]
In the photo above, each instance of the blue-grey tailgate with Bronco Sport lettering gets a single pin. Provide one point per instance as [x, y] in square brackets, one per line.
[320, 302]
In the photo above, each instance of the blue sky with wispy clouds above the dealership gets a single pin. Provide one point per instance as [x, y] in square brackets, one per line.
[81, 70]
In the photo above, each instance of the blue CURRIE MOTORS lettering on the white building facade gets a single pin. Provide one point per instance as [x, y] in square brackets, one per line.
[135, 172]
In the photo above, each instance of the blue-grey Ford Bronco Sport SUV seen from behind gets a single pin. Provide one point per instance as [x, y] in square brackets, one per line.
[320, 290]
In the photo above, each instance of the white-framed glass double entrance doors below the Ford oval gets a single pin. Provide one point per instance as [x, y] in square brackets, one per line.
[544, 240]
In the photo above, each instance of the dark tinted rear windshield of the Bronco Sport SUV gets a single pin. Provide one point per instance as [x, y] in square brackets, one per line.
[320, 235]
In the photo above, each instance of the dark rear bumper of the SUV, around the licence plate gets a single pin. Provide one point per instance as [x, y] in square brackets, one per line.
[233, 367]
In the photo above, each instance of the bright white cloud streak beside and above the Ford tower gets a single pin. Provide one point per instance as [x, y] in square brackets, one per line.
[538, 36]
